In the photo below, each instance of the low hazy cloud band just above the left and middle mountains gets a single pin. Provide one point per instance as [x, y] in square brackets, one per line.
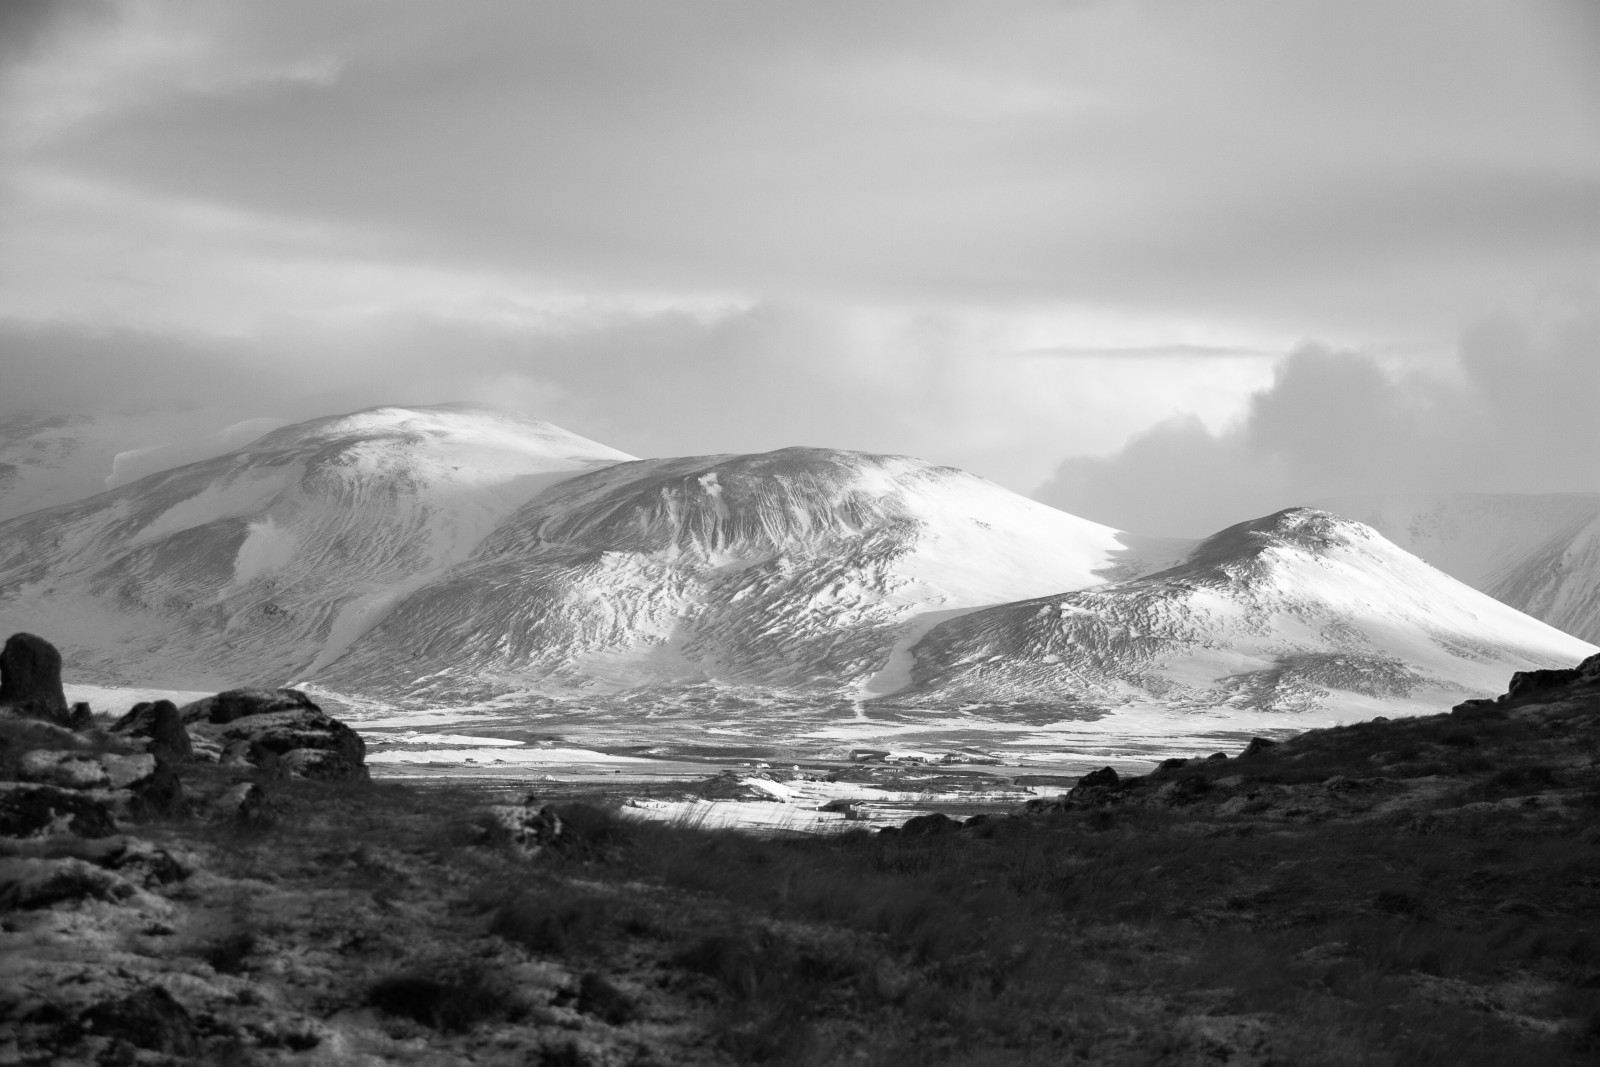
[650, 382]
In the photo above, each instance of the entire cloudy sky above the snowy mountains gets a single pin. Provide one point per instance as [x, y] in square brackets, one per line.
[1161, 263]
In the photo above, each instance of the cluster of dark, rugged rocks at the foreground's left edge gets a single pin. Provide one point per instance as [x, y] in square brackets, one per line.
[74, 801]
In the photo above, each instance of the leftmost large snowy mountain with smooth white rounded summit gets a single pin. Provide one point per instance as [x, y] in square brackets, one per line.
[266, 562]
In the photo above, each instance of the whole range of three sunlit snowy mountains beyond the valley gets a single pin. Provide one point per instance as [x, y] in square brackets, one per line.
[457, 554]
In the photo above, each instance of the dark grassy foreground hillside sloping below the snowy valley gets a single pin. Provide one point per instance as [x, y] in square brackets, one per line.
[1391, 893]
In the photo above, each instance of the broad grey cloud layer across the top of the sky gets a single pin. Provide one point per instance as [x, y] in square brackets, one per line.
[1244, 158]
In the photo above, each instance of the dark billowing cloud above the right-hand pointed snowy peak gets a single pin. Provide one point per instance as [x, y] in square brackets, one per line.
[1516, 417]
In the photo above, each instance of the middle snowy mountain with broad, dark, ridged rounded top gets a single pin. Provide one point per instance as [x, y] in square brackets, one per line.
[796, 569]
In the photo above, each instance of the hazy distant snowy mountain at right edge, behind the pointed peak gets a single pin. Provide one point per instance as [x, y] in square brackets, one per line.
[1537, 553]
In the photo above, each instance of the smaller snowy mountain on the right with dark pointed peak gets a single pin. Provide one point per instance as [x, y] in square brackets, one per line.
[1289, 613]
